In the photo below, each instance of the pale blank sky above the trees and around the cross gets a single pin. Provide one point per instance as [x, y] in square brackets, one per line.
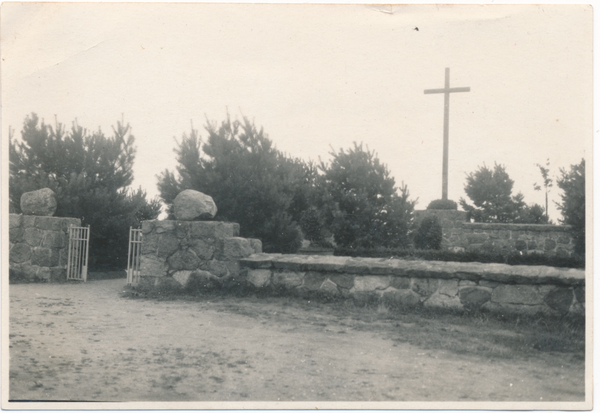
[316, 76]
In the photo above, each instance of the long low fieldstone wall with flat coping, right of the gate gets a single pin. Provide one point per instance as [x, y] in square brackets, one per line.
[496, 288]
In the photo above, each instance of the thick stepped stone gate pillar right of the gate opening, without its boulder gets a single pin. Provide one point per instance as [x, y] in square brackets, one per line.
[177, 253]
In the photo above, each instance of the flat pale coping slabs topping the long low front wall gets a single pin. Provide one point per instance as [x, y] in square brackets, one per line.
[521, 274]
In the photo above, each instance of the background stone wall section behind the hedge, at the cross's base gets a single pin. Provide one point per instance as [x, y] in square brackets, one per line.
[459, 235]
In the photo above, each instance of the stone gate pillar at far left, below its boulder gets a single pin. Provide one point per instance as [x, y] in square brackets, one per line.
[39, 247]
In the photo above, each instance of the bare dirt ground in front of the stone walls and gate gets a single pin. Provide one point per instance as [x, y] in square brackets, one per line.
[86, 342]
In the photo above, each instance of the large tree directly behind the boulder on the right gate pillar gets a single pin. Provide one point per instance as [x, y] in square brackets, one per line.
[251, 182]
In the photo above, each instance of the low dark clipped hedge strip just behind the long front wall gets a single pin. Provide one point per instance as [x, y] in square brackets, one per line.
[511, 258]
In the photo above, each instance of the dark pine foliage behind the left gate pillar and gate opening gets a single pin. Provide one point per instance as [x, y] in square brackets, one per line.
[90, 175]
